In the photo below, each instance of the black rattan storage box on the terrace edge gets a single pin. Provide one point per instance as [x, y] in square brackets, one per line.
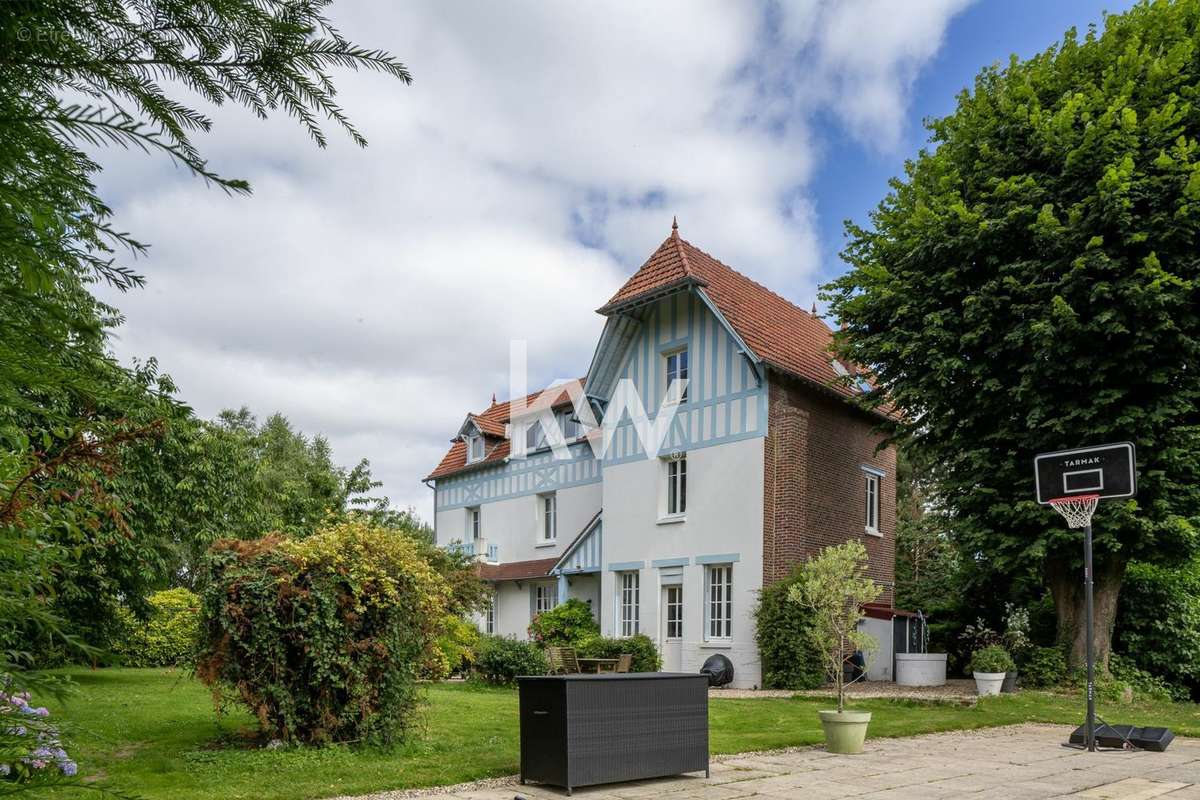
[587, 730]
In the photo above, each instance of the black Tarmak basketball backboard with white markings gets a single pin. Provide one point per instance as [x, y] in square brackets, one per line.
[1103, 471]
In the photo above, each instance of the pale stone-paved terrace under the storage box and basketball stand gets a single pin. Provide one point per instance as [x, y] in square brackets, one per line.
[1016, 763]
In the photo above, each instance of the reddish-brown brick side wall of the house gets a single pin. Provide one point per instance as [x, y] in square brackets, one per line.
[814, 488]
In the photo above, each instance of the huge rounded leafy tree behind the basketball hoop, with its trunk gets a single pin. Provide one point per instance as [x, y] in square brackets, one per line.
[1031, 285]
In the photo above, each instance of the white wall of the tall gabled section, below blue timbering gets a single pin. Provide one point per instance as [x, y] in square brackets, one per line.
[724, 519]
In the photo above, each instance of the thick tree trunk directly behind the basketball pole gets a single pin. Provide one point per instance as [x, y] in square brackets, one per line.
[1066, 582]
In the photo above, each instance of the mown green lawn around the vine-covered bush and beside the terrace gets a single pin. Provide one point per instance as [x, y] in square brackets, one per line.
[153, 733]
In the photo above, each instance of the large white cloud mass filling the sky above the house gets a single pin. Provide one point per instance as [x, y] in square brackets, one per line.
[535, 164]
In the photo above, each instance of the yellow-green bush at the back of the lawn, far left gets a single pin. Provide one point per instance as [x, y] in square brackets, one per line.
[167, 639]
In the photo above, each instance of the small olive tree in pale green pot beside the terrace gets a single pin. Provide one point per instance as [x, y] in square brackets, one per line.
[835, 587]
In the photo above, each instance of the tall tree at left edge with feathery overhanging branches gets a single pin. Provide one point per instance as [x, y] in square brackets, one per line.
[77, 76]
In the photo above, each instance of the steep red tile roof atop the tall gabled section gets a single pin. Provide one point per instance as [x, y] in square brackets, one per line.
[779, 333]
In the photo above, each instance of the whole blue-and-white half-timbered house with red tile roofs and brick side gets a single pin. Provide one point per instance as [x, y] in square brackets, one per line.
[766, 460]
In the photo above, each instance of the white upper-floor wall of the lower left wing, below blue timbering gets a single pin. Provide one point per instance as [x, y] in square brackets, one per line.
[515, 524]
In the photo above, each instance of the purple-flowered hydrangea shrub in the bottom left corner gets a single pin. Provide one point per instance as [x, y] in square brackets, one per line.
[29, 745]
